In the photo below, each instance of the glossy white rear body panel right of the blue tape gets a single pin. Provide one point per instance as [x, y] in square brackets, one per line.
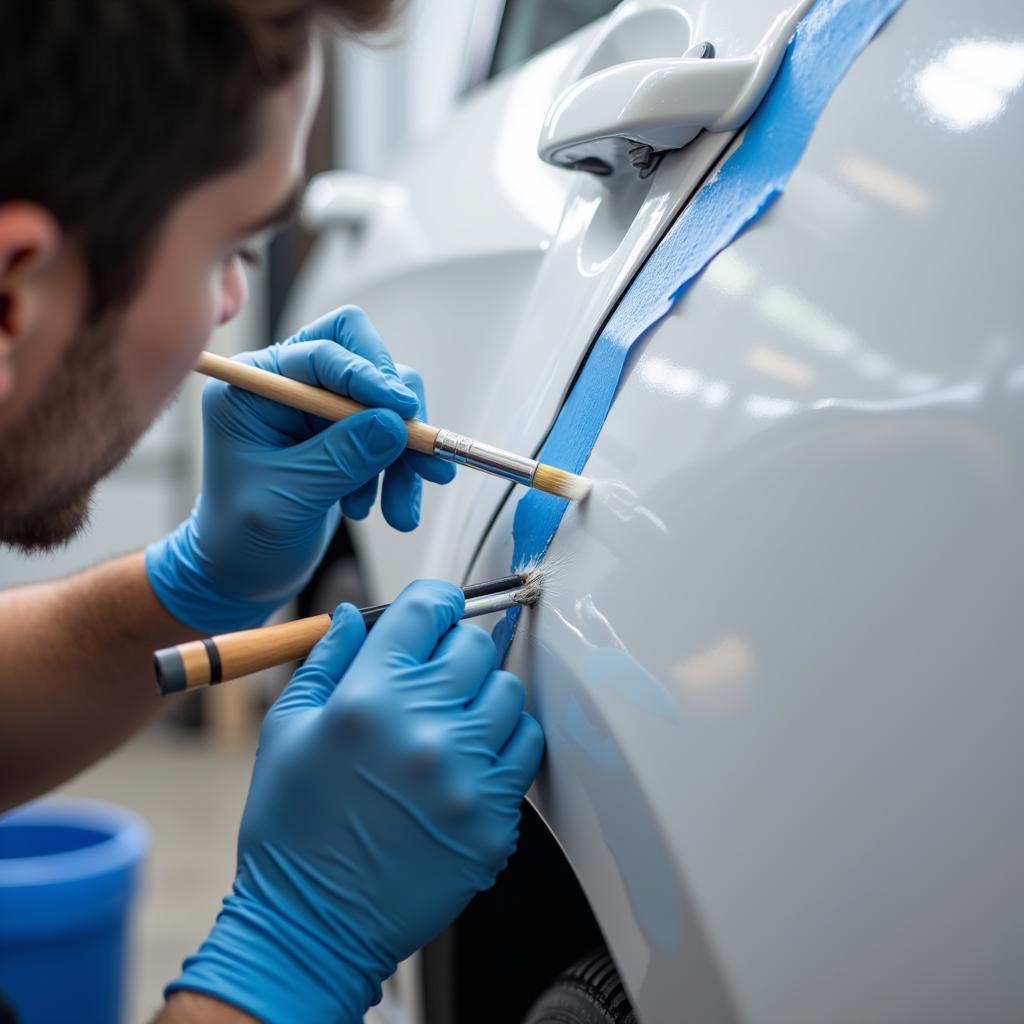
[779, 664]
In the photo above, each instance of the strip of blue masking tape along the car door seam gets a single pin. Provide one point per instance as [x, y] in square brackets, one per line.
[826, 44]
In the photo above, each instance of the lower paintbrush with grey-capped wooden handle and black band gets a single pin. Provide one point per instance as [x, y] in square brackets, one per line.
[231, 656]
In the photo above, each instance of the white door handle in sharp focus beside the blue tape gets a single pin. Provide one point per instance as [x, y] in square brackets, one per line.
[628, 116]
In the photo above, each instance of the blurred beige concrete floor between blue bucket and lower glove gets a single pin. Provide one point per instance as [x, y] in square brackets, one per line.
[192, 794]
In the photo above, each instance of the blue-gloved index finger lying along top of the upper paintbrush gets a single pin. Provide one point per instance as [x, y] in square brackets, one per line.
[330, 365]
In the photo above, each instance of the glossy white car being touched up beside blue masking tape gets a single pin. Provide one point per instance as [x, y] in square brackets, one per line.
[779, 660]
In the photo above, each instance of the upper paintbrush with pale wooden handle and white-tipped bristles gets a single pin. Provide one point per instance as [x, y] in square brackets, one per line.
[422, 438]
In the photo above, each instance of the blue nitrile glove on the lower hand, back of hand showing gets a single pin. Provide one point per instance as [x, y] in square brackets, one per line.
[387, 793]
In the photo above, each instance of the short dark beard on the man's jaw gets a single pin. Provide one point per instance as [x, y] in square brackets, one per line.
[78, 432]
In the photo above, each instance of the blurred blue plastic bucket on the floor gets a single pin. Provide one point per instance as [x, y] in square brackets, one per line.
[69, 873]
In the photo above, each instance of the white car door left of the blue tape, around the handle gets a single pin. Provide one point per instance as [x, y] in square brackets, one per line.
[492, 271]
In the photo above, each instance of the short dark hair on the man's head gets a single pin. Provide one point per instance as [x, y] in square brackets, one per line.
[112, 110]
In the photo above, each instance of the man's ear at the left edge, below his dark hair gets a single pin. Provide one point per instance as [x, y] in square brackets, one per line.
[30, 238]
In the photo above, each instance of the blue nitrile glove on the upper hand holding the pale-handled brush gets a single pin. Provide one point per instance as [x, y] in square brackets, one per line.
[273, 477]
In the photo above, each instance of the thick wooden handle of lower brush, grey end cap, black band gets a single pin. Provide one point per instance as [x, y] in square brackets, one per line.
[204, 663]
